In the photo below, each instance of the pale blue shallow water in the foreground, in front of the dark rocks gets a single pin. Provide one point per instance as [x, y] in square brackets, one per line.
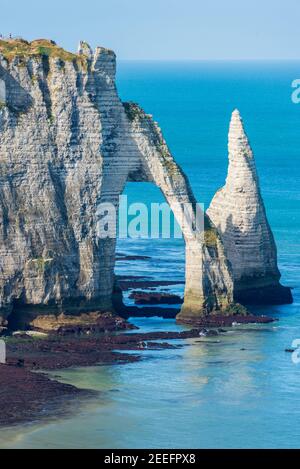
[210, 393]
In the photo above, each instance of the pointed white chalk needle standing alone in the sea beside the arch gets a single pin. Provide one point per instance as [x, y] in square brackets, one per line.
[238, 211]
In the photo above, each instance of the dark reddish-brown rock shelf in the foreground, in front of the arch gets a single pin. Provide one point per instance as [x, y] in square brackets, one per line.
[27, 396]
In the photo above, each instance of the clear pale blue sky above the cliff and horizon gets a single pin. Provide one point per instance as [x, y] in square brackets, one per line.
[163, 29]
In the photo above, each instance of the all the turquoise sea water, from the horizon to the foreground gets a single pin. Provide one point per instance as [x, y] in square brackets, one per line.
[242, 390]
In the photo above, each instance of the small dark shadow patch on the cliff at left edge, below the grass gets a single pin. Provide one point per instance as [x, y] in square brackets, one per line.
[17, 98]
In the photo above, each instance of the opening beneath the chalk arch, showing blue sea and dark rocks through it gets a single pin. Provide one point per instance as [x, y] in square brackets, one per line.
[150, 260]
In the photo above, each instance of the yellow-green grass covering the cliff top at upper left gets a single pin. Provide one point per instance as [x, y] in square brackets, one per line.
[38, 48]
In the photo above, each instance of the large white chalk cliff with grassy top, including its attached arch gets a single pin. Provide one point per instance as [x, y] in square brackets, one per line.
[68, 143]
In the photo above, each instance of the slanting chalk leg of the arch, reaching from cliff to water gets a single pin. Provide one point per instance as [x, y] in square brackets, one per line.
[208, 286]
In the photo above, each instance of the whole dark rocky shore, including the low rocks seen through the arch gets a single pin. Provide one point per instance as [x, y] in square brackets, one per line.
[87, 339]
